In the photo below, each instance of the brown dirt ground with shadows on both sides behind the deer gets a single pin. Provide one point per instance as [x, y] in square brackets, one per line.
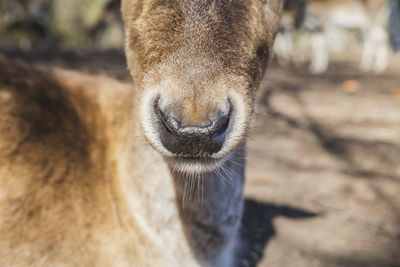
[323, 173]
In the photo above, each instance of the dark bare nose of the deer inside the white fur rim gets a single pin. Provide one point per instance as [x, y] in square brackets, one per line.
[192, 140]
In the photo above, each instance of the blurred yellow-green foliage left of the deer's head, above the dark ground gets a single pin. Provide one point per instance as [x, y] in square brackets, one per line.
[30, 24]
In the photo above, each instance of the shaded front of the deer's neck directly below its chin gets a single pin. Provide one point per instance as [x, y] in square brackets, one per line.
[210, 207]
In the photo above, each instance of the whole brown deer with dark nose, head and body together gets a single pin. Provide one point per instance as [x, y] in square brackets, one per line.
[95, 172]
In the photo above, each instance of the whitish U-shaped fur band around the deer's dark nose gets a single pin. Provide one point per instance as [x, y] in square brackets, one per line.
[197, 163]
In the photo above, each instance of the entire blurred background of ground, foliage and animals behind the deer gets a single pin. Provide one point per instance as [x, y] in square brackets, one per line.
[323, 176]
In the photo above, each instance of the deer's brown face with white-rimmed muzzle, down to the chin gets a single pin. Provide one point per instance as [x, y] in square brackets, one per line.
[198, 64]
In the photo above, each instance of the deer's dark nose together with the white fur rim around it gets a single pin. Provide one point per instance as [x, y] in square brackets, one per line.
[194, 148]
